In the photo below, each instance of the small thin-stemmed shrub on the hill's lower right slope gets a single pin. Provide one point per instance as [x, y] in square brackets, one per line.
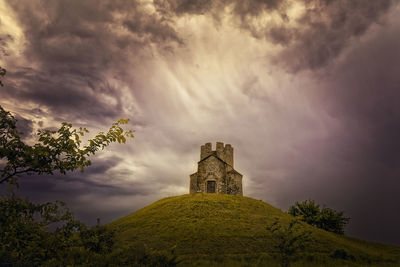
[289, 239]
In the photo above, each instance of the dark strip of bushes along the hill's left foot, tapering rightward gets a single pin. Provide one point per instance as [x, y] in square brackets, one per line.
[48, 235]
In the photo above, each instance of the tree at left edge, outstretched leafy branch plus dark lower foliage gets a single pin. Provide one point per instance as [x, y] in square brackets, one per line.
[47, 234]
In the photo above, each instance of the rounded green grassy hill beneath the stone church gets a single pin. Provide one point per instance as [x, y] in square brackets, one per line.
[225, 230]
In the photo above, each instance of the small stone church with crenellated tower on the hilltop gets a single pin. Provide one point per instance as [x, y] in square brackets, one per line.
[215, 172]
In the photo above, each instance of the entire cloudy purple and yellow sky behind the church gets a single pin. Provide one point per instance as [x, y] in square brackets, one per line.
[306, 91]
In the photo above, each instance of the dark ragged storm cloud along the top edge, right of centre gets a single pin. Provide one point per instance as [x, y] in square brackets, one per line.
[317, 37]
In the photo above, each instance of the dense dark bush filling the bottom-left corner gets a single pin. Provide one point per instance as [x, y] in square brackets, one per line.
[25, 238]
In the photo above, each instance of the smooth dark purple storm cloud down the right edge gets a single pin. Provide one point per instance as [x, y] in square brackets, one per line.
[365, 95]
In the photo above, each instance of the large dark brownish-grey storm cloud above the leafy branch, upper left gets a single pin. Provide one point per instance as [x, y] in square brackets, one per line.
[76, 47]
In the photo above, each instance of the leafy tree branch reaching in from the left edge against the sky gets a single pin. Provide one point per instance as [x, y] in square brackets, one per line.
[56, 150]
